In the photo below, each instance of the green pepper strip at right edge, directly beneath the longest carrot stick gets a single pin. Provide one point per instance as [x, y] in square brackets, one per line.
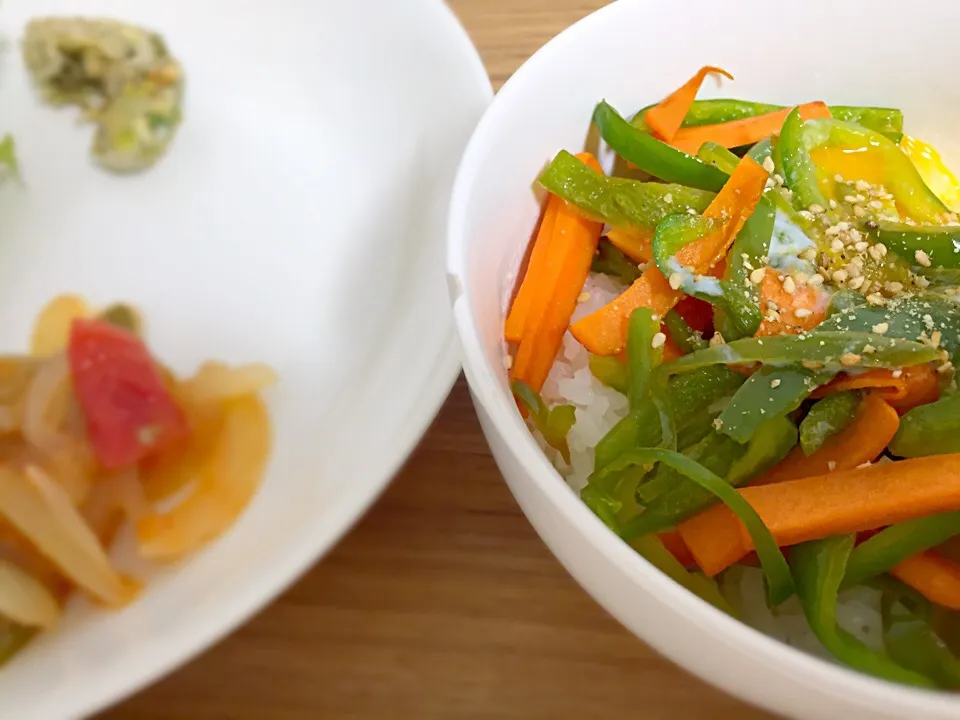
[894, 544]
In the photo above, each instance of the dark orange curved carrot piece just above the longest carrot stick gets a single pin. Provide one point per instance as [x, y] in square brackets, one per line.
[862, 441]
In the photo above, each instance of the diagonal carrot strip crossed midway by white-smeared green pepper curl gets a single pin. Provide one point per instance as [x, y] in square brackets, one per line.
[604, 332]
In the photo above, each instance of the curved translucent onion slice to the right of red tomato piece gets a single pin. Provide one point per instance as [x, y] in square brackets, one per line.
[229, 479]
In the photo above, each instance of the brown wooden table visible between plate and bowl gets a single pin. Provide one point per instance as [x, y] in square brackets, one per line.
[443, 602]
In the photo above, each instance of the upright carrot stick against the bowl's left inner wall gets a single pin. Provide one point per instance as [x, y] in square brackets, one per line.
[571, 248]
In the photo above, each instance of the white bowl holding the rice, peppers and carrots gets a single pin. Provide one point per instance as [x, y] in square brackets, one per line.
[632, 53]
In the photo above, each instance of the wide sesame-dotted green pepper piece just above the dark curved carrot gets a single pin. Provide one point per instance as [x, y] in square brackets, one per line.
[768, 393]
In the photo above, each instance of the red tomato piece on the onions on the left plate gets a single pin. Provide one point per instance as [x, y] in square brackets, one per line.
[129, 413]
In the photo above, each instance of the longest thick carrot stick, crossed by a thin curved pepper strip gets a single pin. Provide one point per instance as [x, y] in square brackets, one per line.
[837, 503]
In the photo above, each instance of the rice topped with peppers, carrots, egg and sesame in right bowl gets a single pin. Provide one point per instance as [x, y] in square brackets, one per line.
[739, 347]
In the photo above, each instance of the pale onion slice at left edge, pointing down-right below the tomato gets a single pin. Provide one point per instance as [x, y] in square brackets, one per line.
[40, 509]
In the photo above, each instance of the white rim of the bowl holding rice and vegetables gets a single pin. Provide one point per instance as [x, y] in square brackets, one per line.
[483, 378]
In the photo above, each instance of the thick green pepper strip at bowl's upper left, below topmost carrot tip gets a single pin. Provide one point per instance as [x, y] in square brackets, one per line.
[652, 156]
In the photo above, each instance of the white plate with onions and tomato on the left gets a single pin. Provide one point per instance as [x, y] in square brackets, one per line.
[298, 219]
